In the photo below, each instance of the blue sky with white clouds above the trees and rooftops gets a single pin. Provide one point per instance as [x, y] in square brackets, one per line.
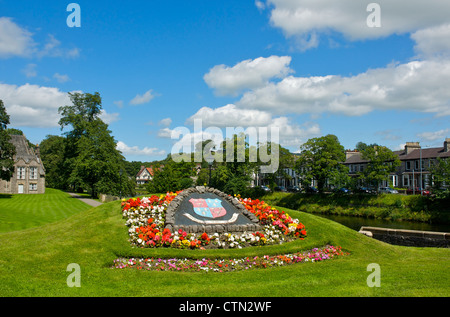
[309, 68]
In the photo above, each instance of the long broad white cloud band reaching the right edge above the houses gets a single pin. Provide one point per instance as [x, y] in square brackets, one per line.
[416, 86]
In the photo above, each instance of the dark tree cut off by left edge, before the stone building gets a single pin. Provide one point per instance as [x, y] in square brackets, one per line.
[7, 150]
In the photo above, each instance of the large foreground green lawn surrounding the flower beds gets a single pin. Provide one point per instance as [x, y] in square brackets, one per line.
[33, 262]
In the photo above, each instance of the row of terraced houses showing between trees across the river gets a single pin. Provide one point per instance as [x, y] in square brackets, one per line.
[413, 172]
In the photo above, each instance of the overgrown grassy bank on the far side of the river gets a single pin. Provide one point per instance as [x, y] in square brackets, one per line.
[386, 206]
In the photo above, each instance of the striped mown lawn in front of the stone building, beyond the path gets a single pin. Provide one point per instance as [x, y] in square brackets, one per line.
[19, 212]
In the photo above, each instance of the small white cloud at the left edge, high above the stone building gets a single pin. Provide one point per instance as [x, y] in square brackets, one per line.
[14, 40]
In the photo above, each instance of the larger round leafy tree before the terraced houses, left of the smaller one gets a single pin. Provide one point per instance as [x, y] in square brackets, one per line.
[321, 160]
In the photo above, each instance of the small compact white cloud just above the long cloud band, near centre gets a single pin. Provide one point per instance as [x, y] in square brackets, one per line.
[247, 74]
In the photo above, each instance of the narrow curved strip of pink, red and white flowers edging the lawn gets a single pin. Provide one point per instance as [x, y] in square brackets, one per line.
[227, 265]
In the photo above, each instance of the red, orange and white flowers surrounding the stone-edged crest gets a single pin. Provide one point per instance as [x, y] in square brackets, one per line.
[146, 226]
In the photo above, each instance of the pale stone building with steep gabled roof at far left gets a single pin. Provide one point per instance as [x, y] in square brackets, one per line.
[29, 172]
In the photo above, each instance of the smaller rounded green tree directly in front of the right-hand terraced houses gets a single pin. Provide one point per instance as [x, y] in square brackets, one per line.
[381, 163]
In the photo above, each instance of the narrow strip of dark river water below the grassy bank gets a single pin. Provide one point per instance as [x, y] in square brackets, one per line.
[356, 223]
